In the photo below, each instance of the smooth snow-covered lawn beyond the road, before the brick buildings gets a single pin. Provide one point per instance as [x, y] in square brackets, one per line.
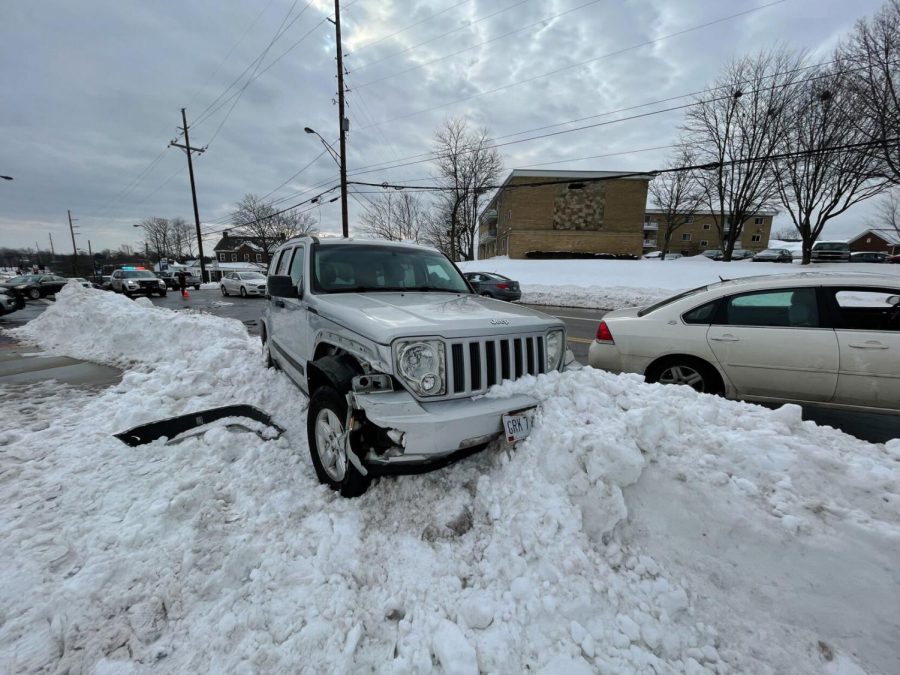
[611, 284]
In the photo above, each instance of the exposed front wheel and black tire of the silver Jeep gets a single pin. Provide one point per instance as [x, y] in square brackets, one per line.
[325, 420]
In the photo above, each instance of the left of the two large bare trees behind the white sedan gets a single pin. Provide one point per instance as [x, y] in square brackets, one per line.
[736, 131]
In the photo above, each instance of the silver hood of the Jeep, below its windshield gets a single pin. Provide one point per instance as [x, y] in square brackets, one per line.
[384, 317]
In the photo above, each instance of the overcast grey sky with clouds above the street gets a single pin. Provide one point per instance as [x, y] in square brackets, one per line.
[92, 92]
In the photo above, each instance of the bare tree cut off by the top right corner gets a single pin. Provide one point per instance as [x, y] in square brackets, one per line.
[871, 56]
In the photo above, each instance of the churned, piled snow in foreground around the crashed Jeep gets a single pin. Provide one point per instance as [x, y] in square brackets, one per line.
[639, 529]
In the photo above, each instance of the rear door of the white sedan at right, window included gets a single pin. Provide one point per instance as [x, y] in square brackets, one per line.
[772, 344]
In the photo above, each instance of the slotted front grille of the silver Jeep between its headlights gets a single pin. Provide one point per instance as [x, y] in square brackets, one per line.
[476, 365]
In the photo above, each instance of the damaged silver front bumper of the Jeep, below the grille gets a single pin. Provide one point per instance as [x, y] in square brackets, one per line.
[426, 434]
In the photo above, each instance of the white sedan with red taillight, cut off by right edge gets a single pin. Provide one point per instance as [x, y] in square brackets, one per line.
[828, 338]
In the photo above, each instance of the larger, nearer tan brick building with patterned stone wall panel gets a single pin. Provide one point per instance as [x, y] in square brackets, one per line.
[575, 214]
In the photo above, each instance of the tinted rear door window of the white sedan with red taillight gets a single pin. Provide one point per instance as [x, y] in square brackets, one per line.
[781, 308]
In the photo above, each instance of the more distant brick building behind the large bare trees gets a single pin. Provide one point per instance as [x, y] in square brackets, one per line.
[700, 233]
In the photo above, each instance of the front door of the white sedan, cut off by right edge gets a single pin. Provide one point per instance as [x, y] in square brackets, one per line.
[867, 326]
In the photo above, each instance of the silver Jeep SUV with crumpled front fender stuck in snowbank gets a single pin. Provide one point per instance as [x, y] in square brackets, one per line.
[395, 350]
